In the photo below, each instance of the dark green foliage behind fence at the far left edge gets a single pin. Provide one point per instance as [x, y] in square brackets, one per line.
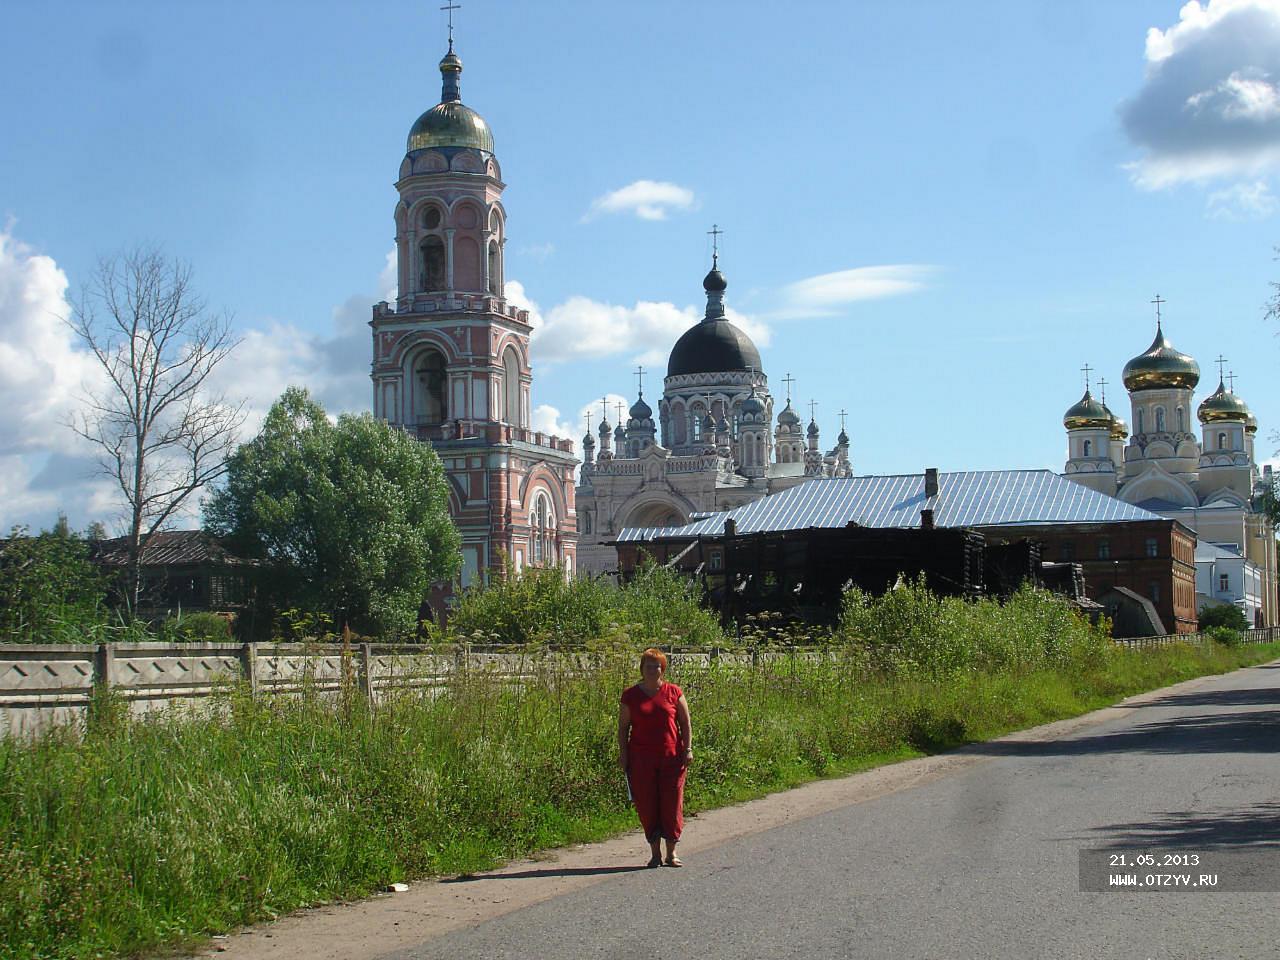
[51, 592]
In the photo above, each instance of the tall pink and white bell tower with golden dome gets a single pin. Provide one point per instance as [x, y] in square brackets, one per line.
[451, 362]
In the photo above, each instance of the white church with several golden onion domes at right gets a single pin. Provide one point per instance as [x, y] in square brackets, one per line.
[1210, 484]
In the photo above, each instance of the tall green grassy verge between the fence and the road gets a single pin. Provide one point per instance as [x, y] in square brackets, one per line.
[131, 835]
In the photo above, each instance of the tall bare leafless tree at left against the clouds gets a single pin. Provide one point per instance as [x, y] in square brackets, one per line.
[162, 432]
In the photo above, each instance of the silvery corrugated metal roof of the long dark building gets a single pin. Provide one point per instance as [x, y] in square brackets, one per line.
[967, 500]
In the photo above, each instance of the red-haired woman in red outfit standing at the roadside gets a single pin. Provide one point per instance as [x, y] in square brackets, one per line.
[655, 749]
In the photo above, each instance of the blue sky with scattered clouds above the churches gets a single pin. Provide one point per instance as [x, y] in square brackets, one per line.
[934, 214]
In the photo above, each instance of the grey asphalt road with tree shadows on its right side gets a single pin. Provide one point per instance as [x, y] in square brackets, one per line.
[980, 863]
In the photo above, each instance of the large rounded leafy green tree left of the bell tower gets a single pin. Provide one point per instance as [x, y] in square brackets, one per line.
[351, 518]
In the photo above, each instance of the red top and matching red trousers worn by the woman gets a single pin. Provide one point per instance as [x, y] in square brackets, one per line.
[655, 765]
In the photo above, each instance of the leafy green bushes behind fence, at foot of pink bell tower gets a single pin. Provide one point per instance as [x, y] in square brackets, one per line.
[542, 606]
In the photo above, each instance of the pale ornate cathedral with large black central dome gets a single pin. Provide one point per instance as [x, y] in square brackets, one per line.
[714, 446]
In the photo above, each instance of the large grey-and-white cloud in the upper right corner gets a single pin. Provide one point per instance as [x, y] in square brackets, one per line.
[1210, 103]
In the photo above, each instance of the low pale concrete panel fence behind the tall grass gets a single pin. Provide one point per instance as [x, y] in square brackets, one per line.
[44, 685]
